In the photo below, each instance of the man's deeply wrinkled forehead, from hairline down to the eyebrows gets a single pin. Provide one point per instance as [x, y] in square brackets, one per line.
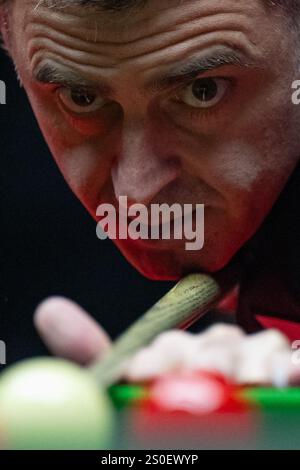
[158, 34]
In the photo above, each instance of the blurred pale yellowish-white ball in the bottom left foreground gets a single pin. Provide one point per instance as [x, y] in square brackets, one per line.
[48, 403]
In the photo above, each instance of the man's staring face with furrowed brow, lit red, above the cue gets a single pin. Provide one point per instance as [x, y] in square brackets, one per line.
[177, 102]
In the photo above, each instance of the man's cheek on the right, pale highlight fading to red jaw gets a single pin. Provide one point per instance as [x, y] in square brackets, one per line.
[250, 179]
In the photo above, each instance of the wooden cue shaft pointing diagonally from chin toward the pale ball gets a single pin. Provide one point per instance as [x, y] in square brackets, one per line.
[187, 301]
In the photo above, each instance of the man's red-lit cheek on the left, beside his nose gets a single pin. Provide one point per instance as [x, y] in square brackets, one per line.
[85, 157]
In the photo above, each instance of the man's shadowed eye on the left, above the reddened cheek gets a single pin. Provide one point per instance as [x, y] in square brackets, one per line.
[80, 101]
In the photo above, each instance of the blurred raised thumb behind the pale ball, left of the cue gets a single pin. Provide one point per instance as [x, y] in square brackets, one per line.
[69, 332]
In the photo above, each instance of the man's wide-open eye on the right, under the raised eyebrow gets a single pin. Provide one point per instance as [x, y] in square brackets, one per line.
[204, 92]
